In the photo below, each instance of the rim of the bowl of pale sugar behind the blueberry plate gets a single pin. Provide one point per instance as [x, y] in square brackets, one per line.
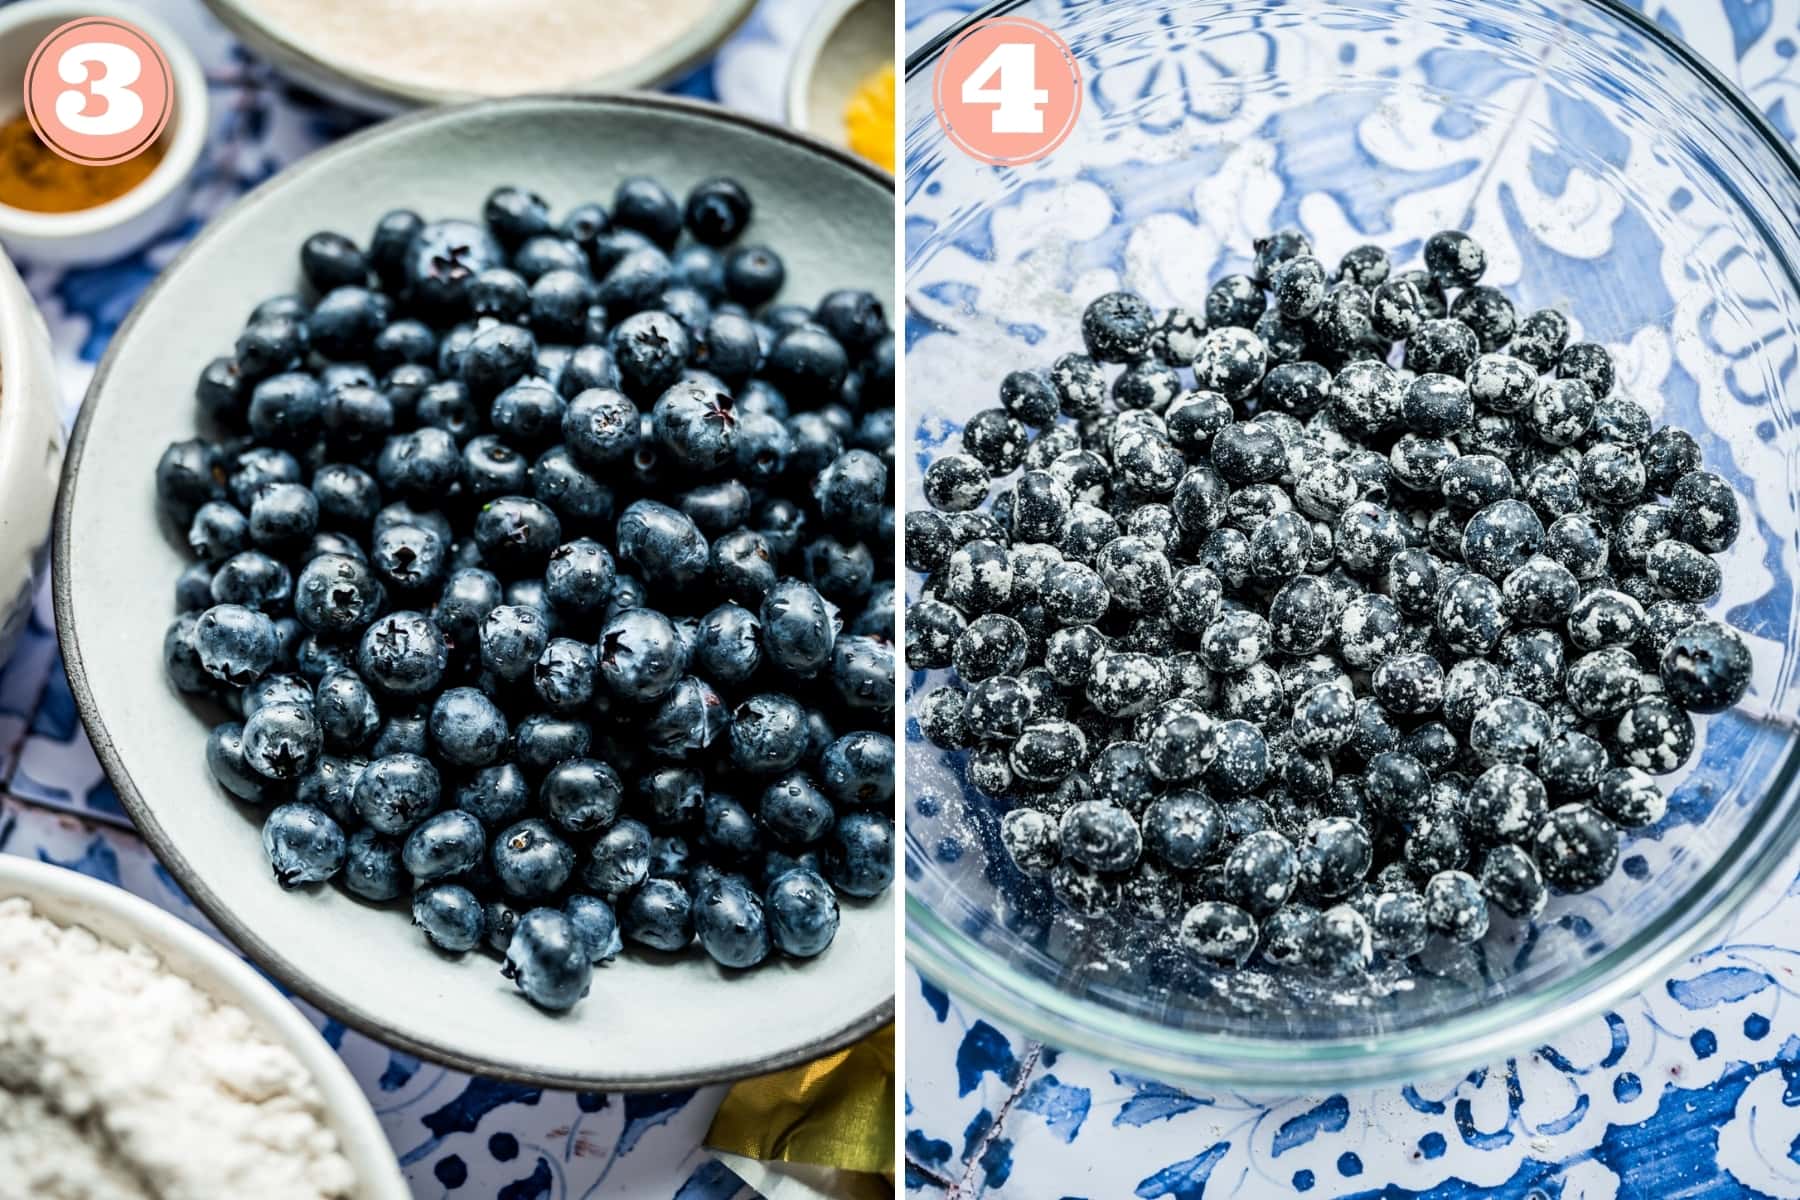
[667, 64]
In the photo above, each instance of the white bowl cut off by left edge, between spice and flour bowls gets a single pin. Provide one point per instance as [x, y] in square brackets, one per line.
[31, 452]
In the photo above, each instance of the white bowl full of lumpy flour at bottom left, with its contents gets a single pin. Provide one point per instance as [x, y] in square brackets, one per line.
[141, 1059]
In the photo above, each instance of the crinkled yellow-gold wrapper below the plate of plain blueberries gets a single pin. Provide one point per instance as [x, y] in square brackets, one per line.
[838, 1111]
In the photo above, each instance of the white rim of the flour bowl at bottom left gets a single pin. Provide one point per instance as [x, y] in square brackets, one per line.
[121, 918]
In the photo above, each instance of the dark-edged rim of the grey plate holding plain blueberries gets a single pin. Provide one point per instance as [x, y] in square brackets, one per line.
[143, 816]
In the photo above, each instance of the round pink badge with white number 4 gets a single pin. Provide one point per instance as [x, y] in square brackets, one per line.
[1007, 91]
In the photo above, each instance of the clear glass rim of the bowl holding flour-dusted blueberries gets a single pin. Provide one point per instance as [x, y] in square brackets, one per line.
[1068, 1019]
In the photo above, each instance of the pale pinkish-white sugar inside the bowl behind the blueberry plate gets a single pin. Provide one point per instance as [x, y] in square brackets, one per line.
[489, 48]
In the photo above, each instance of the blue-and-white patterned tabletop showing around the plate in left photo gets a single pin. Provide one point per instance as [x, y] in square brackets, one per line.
[454, 1134]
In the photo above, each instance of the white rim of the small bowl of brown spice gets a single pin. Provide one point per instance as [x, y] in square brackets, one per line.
[186, 134]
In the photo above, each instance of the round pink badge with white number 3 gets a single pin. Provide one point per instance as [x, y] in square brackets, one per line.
[98, 91]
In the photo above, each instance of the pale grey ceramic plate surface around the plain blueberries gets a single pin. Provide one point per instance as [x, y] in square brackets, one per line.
[643, 1026]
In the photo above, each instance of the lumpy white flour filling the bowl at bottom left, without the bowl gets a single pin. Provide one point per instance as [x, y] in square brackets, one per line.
[121, 1080]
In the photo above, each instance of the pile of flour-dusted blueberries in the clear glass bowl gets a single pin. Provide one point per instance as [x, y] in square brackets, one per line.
[1313, 625]
